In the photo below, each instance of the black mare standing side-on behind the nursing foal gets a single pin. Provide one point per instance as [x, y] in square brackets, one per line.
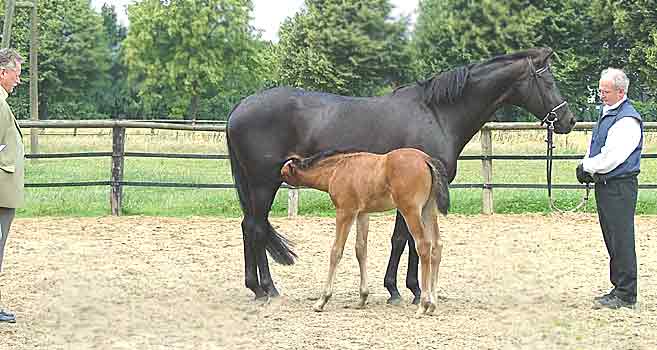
[438, 116]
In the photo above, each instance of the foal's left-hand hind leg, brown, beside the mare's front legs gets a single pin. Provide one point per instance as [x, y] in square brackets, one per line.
[423, 245]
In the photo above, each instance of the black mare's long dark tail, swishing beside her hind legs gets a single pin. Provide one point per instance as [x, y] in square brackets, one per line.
[277, 245]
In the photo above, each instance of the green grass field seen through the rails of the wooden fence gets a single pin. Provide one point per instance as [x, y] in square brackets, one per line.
[182, 202]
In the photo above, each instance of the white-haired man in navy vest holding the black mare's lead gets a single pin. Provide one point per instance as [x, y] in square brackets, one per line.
[613, 163]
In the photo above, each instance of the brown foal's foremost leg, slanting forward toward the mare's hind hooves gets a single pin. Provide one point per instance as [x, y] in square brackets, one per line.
[343, 222]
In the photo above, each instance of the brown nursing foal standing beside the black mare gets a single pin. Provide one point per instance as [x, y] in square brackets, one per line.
[361, 183]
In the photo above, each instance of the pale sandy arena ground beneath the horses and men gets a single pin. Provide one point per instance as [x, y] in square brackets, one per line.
[506, 282]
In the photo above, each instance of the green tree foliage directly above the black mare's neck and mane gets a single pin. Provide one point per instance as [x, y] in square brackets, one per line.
[451, 33]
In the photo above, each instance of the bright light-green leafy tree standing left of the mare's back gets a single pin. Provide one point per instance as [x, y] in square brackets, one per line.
[179, 50]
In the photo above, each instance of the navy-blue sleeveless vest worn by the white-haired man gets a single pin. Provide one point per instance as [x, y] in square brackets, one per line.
[632, 164]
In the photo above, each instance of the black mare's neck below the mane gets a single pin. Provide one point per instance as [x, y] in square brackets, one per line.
[484, 95]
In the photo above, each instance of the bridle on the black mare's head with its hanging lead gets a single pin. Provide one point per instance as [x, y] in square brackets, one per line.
[549, 119]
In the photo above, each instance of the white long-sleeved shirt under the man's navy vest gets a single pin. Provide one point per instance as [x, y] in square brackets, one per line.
[622, 139]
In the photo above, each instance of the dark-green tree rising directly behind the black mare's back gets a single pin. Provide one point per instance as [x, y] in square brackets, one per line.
[349, 47]
